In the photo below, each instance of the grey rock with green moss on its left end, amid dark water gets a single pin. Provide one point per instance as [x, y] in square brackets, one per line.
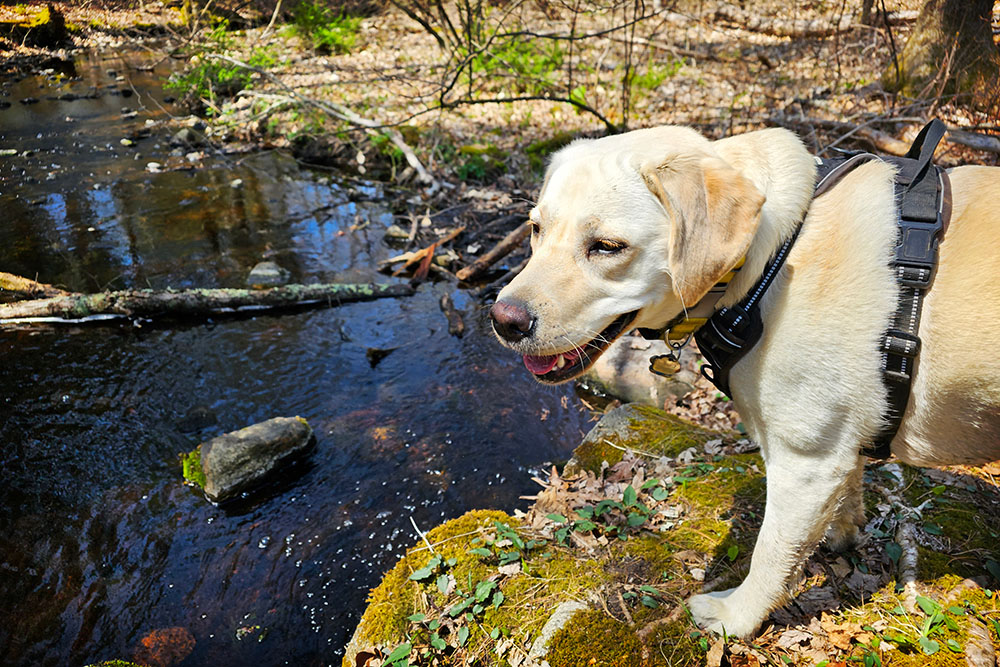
[238, 461]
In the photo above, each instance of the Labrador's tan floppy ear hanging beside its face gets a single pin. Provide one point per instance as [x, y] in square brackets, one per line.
[714, 211]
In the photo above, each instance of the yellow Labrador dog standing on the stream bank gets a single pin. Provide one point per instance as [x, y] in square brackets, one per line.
[630, 229]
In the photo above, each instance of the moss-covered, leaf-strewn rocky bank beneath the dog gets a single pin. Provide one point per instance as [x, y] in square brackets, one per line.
[654, 509]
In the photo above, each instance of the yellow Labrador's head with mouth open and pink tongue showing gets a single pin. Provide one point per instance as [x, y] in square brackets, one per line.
[627, 232]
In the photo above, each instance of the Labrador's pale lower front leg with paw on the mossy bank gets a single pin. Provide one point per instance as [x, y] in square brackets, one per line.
[804, 492]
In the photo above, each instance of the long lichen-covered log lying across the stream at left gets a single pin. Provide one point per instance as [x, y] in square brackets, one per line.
[189, 303]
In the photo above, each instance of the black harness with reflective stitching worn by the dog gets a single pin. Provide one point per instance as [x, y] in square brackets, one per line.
[923, 194]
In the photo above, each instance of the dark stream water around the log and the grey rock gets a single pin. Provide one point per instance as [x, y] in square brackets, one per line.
[100, 542]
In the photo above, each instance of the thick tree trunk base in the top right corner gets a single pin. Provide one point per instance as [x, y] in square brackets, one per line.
[950, 51]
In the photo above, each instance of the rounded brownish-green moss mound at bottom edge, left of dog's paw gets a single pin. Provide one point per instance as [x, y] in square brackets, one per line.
[594, 638]
